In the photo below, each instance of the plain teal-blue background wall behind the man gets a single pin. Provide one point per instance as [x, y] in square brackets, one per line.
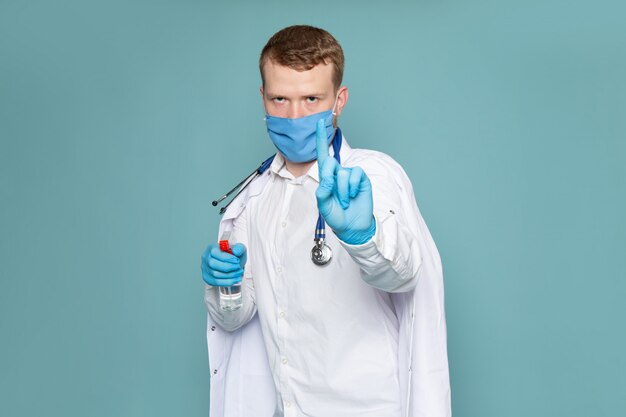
[120, 121]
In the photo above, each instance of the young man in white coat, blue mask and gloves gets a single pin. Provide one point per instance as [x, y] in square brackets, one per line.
[362, 334]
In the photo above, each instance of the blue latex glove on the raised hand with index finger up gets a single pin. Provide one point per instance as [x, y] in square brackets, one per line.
[344, 196]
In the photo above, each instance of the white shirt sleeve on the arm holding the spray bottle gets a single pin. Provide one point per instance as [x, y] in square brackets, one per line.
[232, 320]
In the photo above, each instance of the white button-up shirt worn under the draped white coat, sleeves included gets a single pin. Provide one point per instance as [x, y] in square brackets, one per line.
[330, 332]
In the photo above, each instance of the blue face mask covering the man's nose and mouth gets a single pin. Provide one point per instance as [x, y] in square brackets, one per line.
[295, 138]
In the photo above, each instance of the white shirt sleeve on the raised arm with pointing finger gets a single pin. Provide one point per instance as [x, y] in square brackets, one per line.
[391, 260]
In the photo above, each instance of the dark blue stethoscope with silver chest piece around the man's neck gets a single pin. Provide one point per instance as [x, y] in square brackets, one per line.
[321, 254]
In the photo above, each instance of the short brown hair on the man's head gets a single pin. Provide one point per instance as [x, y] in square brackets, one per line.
[302, 47]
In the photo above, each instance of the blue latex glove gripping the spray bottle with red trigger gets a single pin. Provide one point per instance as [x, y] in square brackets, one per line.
[221, 269]
